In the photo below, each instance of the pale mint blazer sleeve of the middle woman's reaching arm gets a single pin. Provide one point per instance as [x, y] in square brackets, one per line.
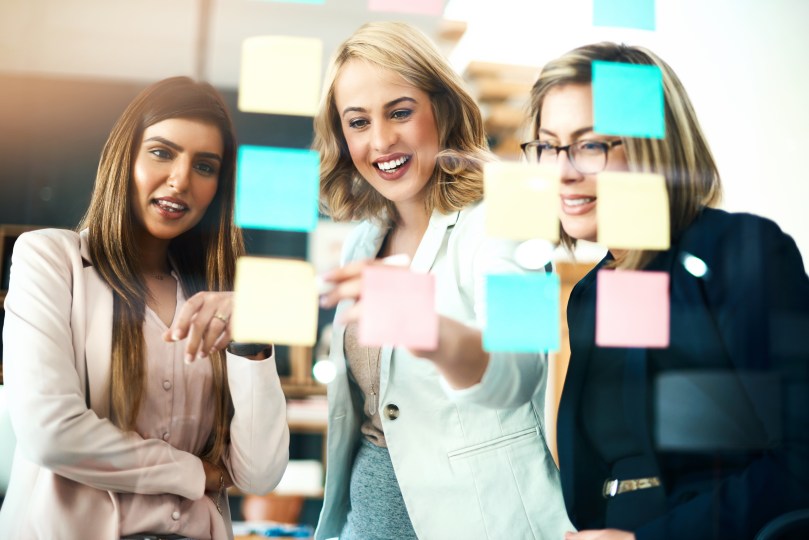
[510, 379]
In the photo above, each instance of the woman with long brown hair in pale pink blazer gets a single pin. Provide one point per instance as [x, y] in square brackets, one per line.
[128, 424]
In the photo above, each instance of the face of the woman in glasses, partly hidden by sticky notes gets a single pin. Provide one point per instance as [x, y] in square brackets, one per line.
[566, 117]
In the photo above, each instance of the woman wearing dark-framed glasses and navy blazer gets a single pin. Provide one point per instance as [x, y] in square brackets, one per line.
[704, 438]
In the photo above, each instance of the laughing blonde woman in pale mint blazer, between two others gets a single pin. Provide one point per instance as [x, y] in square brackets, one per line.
[430, 444]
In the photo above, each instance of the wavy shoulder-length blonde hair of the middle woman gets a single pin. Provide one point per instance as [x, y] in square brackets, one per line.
[458, 176]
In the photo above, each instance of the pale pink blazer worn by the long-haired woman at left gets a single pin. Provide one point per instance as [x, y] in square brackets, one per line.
[70, 459]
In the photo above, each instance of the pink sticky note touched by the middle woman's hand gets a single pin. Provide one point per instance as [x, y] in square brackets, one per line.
[398, 308]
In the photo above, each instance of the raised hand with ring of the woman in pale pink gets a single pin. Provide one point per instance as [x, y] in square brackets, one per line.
[205, 321]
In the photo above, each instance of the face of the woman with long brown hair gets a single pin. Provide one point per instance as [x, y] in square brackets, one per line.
[175, 176]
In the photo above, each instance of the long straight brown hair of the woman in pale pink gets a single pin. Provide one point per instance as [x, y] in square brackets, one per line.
[204, 256]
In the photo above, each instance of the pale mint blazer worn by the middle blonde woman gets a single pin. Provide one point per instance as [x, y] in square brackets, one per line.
[470, 463]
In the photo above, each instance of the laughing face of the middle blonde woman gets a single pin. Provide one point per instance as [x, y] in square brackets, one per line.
[390, 130]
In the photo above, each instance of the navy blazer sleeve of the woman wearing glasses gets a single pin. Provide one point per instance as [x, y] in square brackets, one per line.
[759, 293]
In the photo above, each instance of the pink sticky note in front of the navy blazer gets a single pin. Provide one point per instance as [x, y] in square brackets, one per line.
[632, 309]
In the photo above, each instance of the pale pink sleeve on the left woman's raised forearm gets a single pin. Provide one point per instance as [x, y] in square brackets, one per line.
[259, 447]
